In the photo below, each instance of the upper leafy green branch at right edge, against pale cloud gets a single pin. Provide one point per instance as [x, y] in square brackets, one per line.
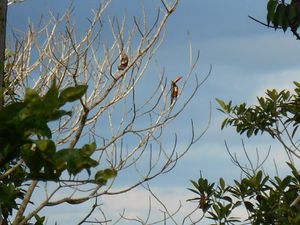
[277, 108]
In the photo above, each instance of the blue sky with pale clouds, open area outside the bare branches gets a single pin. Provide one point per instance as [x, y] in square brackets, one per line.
[246, 59]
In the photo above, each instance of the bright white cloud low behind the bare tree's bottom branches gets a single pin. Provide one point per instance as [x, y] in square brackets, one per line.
[139, 201]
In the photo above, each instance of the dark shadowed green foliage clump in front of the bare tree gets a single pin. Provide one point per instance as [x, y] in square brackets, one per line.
[25, 134]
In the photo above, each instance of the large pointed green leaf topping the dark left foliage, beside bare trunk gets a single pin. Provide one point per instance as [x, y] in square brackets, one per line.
[71, 94]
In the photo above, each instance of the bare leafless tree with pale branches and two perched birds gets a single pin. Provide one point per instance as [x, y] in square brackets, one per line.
[126, 123]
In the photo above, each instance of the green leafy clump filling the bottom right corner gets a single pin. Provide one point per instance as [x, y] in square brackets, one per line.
[266, 201]
